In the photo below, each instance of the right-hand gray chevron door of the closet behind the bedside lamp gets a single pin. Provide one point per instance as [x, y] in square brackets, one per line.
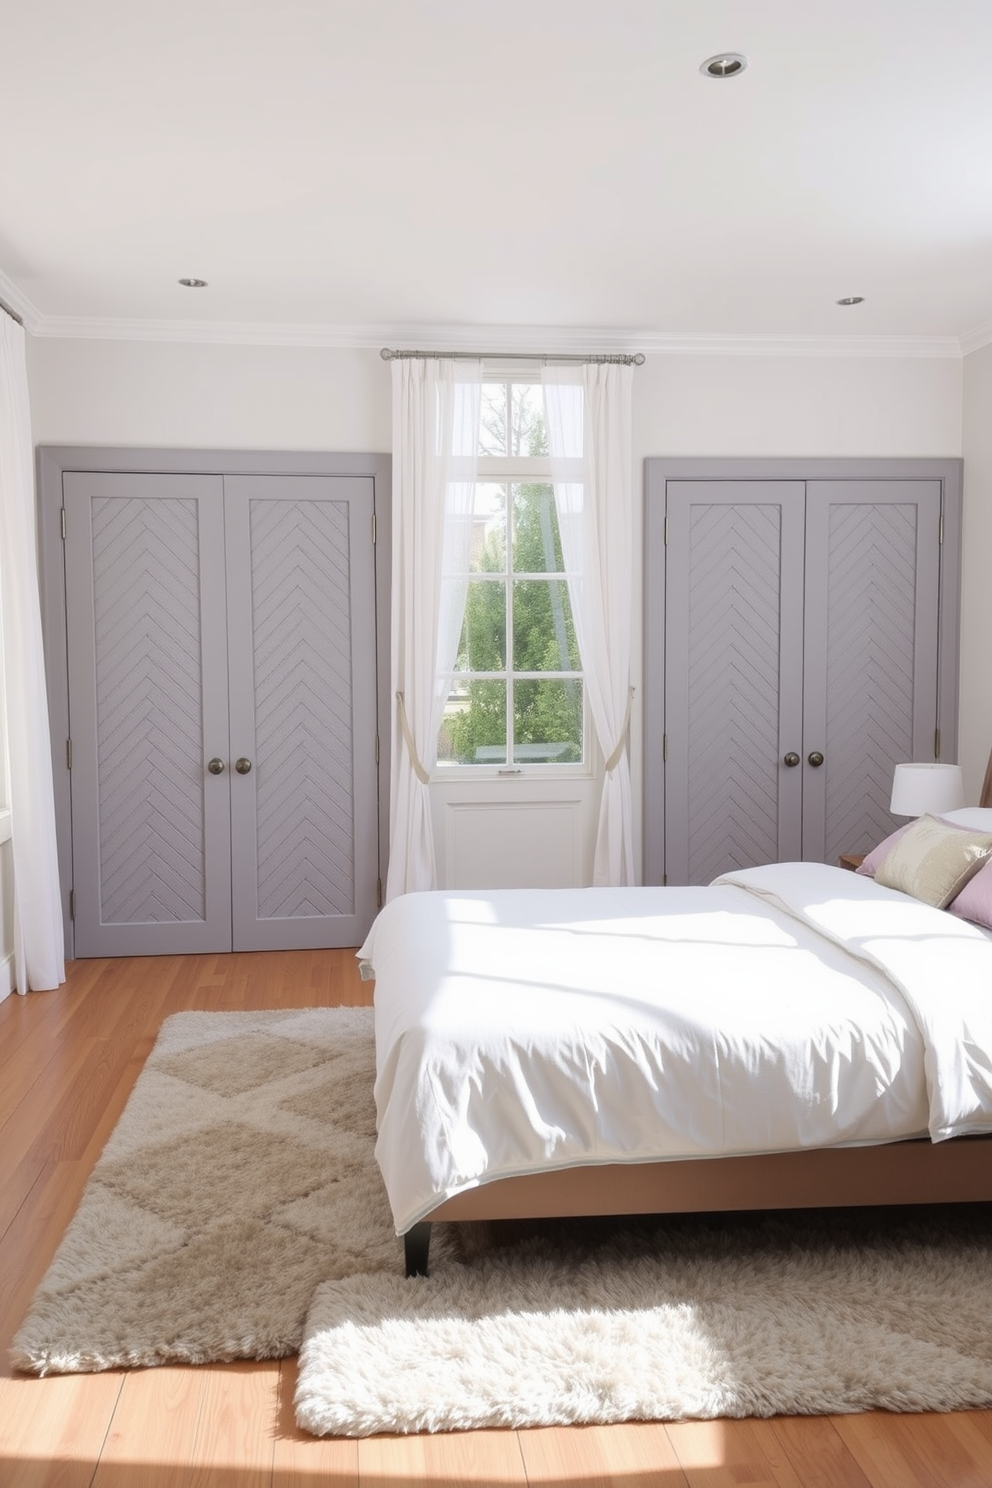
[871, 642]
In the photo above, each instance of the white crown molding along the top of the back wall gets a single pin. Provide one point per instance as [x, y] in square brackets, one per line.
[484, 339]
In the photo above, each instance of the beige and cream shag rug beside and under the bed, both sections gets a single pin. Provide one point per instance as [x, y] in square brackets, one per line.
[239, 1213]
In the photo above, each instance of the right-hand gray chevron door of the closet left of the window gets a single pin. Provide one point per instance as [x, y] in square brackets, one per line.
[303, 709]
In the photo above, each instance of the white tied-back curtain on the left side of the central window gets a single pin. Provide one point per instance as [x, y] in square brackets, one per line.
[437, 411]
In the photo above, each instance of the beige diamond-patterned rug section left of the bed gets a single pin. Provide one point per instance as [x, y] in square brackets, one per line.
[239, 1178]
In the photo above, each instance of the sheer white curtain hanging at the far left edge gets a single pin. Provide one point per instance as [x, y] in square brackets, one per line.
[38, 911]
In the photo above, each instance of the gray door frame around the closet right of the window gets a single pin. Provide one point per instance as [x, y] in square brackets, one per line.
[661, 469]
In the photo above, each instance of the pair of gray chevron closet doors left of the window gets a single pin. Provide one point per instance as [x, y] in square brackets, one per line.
[221, 618]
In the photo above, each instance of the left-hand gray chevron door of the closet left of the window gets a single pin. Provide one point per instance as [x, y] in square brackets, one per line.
[148, 670]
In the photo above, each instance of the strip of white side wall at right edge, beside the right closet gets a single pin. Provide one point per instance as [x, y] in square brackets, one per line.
[976, 615]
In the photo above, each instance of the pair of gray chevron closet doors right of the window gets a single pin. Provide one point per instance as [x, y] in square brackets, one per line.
[801, 666]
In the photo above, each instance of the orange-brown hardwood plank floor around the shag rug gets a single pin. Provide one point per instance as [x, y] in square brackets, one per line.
[68, 1065]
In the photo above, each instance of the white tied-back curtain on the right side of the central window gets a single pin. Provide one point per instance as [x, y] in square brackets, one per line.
[588, 414]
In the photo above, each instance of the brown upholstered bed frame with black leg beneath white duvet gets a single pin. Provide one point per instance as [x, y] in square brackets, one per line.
[918, 1172]
